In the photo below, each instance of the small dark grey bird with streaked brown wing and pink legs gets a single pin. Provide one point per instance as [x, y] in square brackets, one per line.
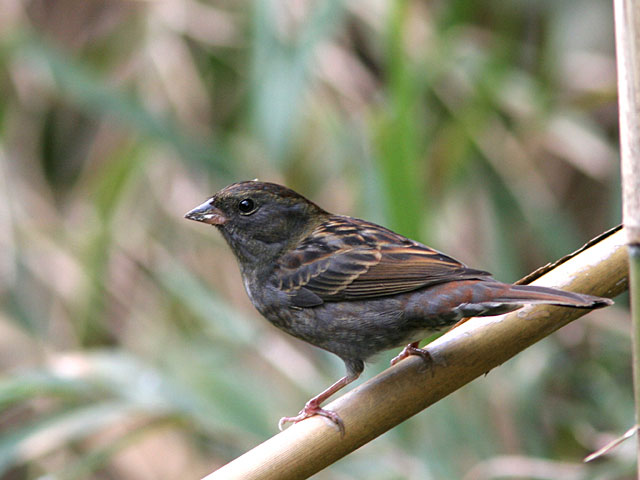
[352, 287]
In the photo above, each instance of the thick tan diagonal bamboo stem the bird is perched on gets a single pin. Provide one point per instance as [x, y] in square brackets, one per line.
[462, 354]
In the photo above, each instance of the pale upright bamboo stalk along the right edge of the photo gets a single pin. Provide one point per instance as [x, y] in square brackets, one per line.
[627, 24]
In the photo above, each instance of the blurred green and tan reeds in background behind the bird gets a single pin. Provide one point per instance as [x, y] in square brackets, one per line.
[128, 347]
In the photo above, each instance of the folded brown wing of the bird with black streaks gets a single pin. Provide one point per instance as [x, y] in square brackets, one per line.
[348, 259]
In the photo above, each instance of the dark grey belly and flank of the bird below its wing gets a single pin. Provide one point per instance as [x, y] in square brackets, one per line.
[359, 329]
